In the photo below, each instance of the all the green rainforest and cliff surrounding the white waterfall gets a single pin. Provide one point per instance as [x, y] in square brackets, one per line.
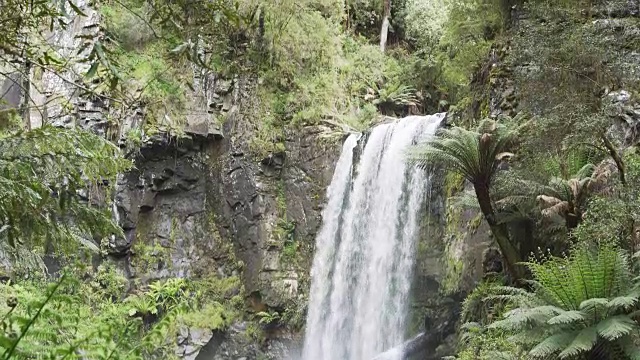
[537, 156]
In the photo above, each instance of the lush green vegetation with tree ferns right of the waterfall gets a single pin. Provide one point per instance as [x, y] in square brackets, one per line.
[556, 186]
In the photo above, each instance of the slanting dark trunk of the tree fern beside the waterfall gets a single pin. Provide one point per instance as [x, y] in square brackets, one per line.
[500, 232]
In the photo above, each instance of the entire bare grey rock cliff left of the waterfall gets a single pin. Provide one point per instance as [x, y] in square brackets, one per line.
[206, 206]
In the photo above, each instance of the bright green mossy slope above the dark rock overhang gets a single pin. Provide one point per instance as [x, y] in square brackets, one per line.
[140, 56]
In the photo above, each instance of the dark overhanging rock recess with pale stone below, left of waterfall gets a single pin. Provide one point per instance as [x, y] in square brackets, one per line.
[162, 207]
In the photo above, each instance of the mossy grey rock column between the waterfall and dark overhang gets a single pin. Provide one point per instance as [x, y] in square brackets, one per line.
[270, 202]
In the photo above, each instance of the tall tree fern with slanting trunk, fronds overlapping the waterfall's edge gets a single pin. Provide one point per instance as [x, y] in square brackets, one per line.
[476, 154]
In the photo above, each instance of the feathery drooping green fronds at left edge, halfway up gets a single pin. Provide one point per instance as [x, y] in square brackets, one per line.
[43, 173]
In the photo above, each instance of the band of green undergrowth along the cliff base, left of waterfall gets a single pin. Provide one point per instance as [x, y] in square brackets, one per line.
[75, 319]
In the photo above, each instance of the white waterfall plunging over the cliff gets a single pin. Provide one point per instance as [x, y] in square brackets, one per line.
[362, 268]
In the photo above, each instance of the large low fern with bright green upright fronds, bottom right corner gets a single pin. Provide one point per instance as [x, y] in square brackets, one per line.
[584, 306]
